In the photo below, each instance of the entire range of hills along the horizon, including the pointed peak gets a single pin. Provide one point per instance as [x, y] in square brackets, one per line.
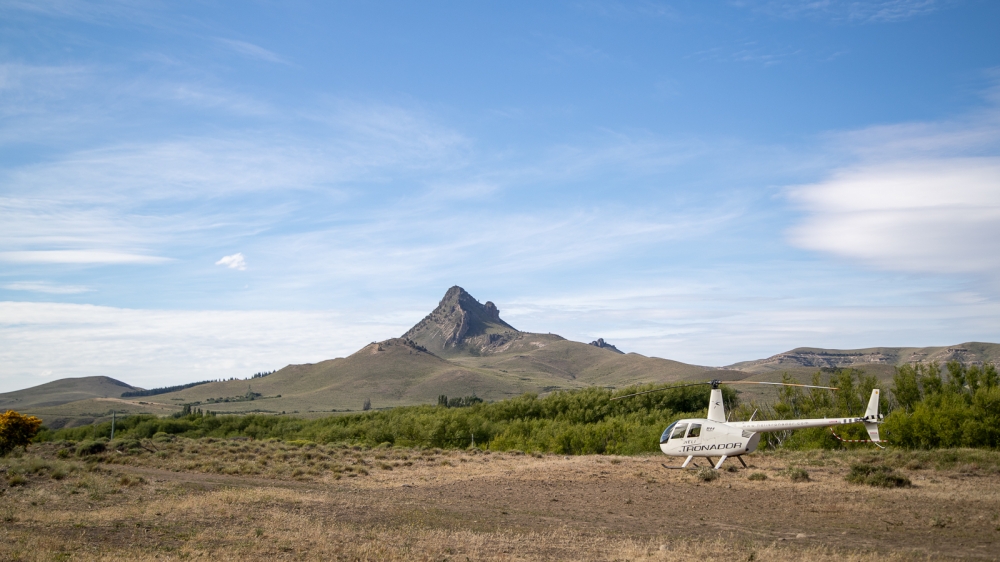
[462, 348]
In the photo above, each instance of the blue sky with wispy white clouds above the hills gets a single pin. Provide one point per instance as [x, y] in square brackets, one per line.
[211, 189]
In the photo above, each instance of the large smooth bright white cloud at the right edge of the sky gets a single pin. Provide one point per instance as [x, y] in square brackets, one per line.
[937, 215]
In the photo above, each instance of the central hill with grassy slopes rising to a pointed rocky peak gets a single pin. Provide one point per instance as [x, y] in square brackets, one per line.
[462, 348]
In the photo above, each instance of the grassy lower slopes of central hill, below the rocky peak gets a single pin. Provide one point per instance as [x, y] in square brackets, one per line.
[399, 372]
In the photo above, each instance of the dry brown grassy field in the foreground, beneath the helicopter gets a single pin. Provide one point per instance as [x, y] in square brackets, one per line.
[176, 498]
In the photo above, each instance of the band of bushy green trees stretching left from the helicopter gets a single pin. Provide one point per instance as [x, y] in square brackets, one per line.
[571, 422]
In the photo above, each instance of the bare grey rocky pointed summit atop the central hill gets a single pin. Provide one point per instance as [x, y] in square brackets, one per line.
[461, 324]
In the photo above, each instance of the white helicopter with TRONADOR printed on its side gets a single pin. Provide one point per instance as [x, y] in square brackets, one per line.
[716, 436]
